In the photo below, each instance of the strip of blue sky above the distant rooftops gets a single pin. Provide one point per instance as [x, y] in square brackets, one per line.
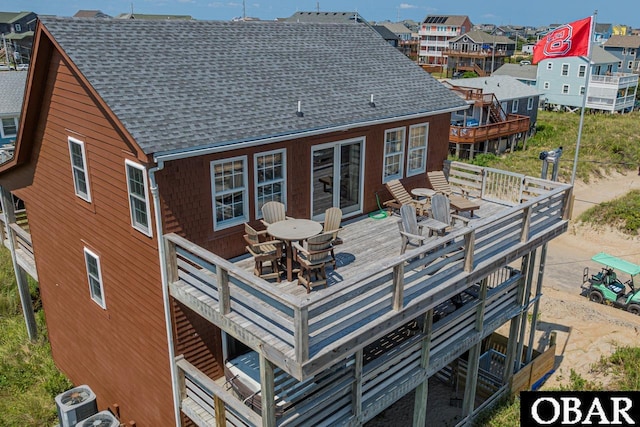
[518, 12]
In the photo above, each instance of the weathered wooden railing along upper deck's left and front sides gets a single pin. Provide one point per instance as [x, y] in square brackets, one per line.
[305, 335]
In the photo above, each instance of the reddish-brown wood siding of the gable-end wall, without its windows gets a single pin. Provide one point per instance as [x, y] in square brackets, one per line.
[120, 352]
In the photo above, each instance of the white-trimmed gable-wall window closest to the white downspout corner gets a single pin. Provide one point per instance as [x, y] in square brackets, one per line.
[138, 197]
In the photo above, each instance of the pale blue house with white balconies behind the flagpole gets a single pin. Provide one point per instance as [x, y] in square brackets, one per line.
[563, 83]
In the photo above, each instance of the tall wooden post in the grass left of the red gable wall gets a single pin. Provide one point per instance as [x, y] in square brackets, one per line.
[21, 278]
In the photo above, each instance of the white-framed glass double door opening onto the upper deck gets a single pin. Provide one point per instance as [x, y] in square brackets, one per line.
[337, 171]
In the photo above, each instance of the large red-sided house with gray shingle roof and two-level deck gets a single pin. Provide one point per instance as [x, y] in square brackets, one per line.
[138, 179]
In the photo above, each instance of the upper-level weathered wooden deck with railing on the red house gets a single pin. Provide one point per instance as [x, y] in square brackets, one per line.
[374, 289]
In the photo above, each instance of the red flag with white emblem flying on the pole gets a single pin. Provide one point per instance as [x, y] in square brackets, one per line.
[567, 40]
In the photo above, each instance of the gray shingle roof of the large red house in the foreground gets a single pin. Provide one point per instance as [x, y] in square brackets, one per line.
[177, 85]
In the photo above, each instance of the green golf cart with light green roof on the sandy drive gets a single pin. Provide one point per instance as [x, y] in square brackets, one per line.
[605, 286]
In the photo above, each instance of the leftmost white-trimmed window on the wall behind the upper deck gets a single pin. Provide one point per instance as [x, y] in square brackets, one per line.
[229, 192]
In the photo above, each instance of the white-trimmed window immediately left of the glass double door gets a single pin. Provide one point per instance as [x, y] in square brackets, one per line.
[270, 176]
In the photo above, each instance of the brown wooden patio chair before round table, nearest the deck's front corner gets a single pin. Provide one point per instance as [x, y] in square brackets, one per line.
[313, 260]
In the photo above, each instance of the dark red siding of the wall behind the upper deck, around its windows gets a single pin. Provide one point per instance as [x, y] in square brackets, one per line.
[185, 185]
